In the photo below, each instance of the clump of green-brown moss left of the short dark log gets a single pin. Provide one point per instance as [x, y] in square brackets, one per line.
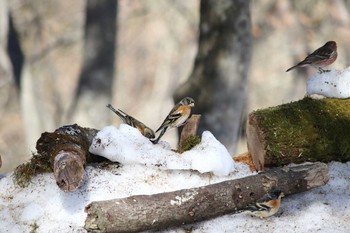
[38, 164]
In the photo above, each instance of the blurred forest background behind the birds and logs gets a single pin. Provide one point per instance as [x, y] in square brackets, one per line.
[61, 62]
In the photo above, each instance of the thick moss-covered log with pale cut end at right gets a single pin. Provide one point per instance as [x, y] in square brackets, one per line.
[305, 130]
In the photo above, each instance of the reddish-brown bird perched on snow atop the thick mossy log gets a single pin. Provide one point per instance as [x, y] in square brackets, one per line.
[320, 58]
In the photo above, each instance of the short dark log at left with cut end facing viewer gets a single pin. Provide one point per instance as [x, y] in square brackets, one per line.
[68, 150]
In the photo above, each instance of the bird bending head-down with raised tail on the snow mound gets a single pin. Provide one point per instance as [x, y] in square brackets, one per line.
[129, 120]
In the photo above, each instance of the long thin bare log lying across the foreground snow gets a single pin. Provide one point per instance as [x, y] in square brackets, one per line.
[164, 210]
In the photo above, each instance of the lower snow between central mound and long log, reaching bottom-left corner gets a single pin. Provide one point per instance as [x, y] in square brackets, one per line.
[43, 208]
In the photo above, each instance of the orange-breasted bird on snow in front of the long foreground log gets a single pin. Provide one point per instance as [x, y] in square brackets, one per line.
[267, 205]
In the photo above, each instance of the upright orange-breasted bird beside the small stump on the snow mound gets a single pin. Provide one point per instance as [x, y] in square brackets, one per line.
[176, 117]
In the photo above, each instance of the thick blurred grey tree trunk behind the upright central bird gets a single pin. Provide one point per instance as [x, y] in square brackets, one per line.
[219, 78]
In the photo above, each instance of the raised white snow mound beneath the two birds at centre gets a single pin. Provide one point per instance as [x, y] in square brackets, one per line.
[127, 146]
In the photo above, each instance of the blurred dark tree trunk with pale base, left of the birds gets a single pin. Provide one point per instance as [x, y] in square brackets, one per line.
[94, 89]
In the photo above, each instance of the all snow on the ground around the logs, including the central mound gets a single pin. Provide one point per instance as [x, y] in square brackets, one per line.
[42, 203]
